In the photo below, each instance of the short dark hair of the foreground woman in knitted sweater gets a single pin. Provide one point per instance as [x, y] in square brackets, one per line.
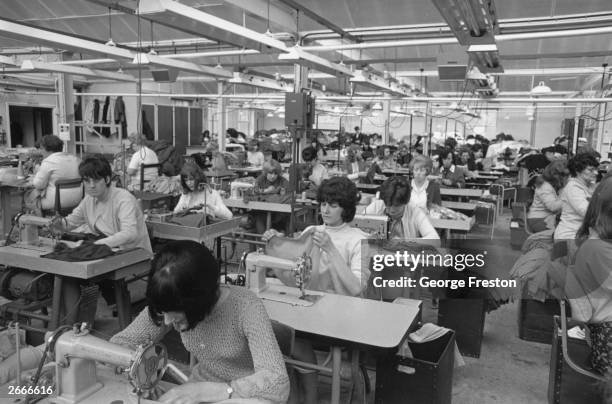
[184, 277]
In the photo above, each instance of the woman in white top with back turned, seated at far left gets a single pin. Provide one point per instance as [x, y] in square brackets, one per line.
[56, 165]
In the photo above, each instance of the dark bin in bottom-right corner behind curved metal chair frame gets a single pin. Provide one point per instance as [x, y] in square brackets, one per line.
[565, 385]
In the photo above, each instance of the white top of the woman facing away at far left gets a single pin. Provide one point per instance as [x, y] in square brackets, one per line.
[58, 166]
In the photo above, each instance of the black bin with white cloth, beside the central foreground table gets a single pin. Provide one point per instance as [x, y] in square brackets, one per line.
[426, 378]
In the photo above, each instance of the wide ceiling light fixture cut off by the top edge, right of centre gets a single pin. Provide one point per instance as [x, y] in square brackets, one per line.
[471, 21]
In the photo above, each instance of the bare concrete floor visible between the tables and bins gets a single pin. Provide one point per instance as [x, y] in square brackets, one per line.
[509, 370]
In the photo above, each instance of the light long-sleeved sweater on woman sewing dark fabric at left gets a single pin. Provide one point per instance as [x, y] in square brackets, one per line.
[118, 217]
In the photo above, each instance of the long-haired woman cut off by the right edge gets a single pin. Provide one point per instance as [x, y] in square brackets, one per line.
[589, 280]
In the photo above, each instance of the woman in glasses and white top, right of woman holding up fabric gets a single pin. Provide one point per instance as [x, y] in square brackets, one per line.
[407, 221]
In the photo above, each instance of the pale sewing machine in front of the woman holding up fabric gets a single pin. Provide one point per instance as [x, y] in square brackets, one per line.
[256, 264]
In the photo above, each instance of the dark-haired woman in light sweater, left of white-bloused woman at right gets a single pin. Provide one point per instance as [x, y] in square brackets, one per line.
[546, 203]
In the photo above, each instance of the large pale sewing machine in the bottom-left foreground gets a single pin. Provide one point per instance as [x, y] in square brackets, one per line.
[77, 353]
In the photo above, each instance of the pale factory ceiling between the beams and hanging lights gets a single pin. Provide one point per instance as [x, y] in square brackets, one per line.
[90, 19]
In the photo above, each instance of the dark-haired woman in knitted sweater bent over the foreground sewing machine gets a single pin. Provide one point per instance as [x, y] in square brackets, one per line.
[226, 328]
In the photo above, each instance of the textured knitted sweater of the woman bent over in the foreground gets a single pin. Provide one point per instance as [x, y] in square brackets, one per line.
[234, 344]
